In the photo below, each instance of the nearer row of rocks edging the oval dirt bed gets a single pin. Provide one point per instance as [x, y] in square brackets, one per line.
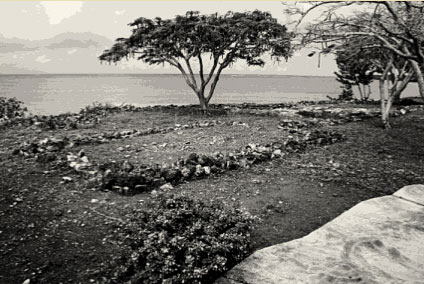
[125, 178]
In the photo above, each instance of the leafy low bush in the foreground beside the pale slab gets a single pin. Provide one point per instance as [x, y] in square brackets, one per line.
[180, 240]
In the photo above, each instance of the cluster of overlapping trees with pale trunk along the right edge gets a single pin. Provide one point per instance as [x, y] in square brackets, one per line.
[385, 36]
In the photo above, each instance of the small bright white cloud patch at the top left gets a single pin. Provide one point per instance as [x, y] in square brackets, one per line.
[60, 10]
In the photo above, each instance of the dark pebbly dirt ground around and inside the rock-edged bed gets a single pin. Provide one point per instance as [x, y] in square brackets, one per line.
[56, 232]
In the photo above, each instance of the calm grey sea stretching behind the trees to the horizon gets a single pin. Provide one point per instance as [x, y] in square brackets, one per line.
[53, 94]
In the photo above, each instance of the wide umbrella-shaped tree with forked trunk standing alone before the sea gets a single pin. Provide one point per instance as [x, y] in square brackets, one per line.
[211, 42]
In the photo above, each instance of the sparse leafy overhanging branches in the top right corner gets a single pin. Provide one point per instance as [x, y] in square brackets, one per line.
[396, 26]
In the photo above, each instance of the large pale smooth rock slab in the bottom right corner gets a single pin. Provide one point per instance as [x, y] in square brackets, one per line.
[380, 240]
